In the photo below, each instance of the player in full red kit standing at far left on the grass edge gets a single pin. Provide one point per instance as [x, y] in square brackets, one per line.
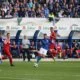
[6, 48]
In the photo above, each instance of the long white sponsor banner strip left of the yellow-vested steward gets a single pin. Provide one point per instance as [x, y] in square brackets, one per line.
[25, 24]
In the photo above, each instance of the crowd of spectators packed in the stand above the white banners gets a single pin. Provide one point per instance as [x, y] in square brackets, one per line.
[39, 8]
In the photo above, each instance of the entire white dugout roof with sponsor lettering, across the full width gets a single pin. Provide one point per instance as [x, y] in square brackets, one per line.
[29, 25]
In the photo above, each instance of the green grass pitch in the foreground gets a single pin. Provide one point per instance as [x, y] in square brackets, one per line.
[45, 71]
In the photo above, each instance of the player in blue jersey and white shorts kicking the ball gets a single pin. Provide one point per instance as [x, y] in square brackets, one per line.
[43, 50]
